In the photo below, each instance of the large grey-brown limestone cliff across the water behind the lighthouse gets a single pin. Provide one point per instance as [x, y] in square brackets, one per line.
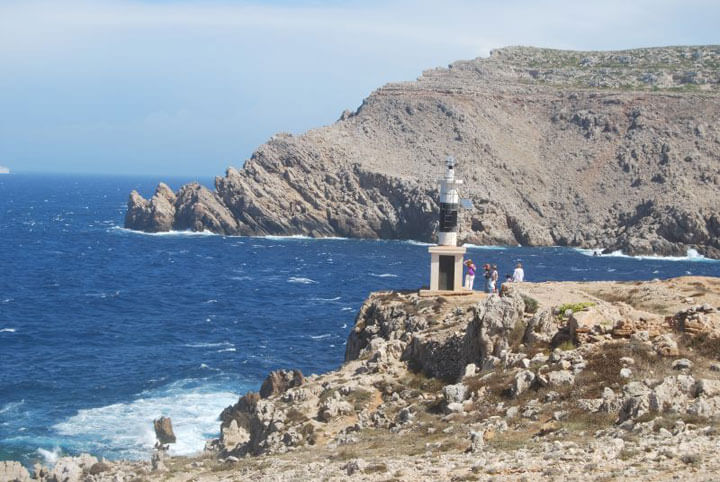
[613, 150]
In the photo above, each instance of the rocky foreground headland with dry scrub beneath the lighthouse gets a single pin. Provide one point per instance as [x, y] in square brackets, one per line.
[561, 380]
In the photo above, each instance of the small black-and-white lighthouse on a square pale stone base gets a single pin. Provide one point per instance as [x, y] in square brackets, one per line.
[446, 258]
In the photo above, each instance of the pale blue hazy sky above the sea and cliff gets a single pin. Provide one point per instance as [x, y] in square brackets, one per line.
[188, 88]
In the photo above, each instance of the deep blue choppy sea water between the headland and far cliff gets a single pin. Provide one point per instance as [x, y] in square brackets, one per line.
[103, 329]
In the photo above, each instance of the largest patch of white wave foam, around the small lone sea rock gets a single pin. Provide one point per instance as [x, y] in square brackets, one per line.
[127, 427]
